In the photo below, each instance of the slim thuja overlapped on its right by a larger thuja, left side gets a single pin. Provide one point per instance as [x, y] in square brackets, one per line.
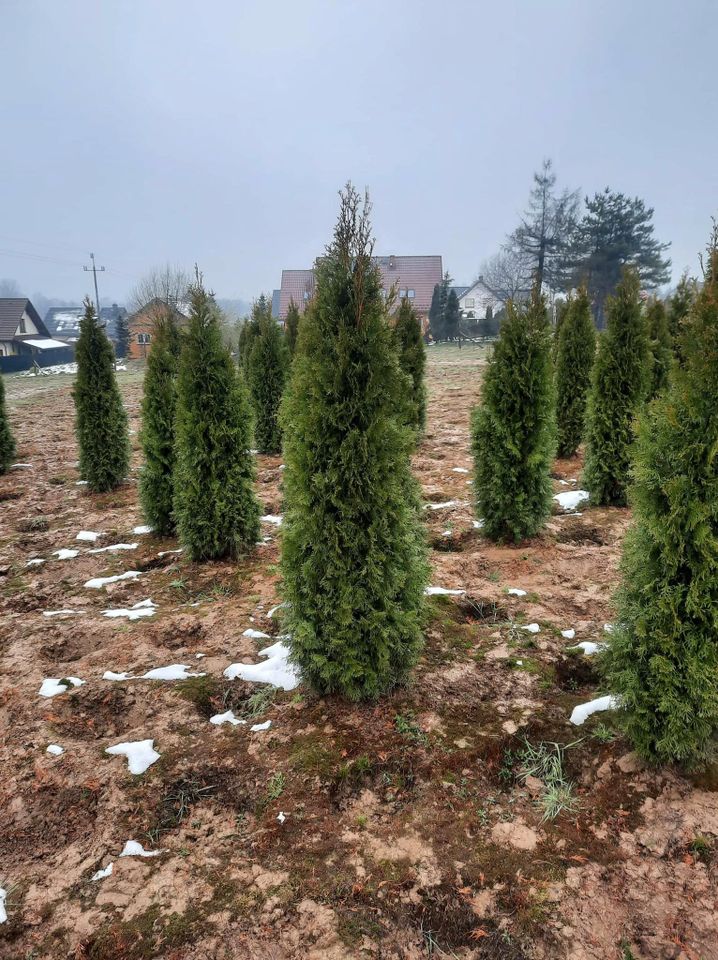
[158, 427]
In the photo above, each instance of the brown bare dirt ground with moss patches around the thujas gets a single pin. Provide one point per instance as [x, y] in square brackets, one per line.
[407, 831]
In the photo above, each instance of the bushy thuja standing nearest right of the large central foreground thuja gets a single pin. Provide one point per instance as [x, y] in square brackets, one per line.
[514, 428]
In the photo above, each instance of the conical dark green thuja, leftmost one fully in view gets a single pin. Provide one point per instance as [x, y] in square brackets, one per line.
[100, 417]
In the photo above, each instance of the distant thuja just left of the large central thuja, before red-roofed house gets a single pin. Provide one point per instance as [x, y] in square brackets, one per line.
[266, 377]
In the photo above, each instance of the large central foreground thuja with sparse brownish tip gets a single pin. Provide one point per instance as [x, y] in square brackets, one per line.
[353, 551]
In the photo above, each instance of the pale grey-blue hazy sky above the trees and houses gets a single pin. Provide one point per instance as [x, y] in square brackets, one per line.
[219, 131]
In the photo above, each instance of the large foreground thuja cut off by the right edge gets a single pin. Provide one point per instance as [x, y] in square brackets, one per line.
[662, 661]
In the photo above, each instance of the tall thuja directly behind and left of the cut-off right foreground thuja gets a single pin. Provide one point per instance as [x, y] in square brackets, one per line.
[619, 385]
